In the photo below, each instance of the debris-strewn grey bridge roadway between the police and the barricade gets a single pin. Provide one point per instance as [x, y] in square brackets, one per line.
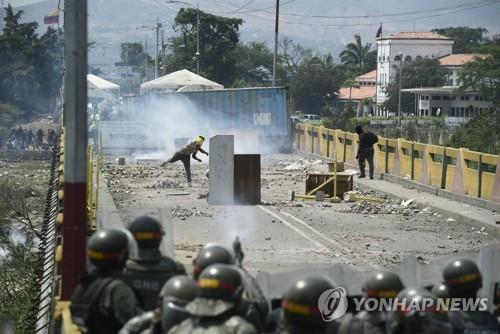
[286, 238]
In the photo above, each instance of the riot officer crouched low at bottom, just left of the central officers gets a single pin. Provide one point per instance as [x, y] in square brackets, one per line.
[174, 296]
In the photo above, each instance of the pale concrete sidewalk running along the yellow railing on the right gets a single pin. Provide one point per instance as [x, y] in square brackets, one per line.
[461, 212]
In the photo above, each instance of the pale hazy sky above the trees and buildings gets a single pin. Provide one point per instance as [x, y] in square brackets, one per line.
[323, 25]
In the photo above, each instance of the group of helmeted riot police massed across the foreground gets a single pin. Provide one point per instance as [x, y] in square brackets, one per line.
[132, 288]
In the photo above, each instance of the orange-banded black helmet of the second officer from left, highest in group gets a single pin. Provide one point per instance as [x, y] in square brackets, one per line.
[147, 231]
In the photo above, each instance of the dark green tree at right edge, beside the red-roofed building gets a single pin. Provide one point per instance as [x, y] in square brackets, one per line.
[483, 74]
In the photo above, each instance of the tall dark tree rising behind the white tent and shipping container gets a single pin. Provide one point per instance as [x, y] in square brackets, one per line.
[218, 39]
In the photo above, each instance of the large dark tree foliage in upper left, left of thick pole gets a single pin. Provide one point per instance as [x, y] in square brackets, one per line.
[30, 65]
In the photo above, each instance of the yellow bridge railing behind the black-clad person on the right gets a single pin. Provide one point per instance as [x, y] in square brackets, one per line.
[459, 171]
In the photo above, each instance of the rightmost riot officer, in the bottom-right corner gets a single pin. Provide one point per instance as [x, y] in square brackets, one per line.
[463, 279]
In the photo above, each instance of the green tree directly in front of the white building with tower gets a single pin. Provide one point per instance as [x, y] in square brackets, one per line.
[423, 72]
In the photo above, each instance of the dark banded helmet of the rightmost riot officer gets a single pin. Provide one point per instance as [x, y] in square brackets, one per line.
[462, 277]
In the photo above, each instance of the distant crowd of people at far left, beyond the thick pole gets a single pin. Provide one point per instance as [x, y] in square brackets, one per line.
[27, 139]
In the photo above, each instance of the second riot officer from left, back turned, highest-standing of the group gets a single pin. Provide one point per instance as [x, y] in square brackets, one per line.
[149, 270]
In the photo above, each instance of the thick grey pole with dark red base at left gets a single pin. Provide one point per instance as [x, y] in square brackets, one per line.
[75, 145]
